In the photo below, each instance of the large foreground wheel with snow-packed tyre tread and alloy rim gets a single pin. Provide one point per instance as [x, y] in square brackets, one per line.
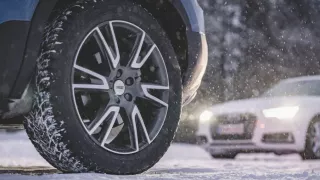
[107, 91]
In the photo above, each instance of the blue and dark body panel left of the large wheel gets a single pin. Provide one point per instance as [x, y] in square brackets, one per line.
[15, 16]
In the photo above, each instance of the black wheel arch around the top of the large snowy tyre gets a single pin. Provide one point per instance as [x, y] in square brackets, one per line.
[170, 14]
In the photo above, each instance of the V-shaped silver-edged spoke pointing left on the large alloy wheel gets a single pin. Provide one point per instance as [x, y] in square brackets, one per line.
[104, 85]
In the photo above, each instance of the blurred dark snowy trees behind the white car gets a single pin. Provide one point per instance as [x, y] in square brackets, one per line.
[252, 45]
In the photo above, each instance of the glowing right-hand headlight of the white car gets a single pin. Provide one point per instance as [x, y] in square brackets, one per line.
[281, 112]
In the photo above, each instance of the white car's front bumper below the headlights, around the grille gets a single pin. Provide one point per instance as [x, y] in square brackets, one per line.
[268, 135]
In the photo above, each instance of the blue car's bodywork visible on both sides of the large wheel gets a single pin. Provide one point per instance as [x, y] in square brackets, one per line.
[22, 23]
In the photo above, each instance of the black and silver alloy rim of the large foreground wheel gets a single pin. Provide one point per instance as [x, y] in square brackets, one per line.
[120, 87]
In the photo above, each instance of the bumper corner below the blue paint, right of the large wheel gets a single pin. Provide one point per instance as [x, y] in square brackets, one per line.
[197, 63]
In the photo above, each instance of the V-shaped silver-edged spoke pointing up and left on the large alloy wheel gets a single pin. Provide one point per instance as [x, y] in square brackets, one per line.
[106, 48]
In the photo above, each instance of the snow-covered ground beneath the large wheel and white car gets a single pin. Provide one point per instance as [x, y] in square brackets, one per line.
[181, 162]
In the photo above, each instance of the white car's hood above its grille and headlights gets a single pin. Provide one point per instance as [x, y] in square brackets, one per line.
[258, 104]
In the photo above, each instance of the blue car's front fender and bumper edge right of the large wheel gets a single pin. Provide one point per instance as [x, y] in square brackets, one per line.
[197, 53]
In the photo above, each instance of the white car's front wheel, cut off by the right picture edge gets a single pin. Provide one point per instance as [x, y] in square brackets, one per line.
[312, 150]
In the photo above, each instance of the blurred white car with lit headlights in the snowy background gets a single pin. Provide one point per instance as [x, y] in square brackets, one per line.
[285, 119]
